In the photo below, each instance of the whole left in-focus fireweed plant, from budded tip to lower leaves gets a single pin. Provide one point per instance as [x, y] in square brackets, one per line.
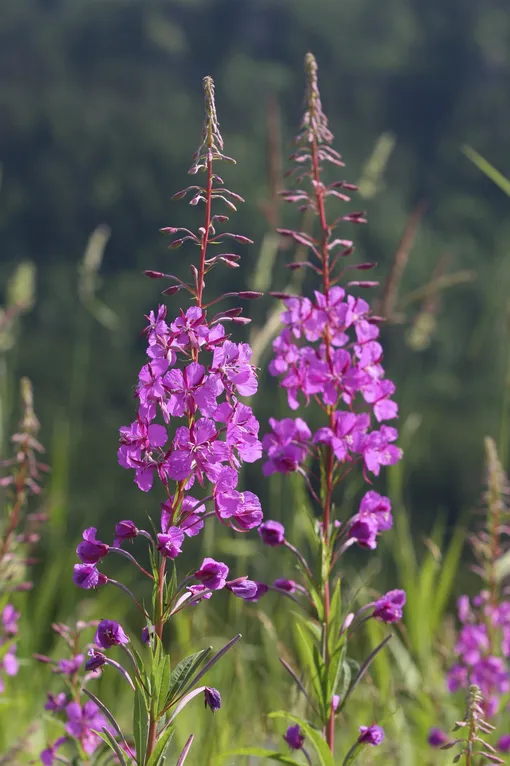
[192, 384]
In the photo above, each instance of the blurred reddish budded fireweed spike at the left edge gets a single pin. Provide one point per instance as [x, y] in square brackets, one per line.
[19, 528]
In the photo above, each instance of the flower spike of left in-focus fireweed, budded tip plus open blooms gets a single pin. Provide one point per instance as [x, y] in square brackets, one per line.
[192, 382]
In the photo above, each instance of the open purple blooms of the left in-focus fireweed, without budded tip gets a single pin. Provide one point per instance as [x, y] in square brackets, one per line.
[219, 432]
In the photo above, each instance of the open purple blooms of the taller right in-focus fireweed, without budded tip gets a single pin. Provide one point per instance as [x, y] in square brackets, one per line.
[328, 351]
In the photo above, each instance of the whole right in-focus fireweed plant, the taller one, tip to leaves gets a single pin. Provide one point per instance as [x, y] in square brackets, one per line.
[328, 355]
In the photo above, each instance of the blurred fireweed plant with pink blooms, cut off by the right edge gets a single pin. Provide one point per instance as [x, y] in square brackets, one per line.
[482, 649]
